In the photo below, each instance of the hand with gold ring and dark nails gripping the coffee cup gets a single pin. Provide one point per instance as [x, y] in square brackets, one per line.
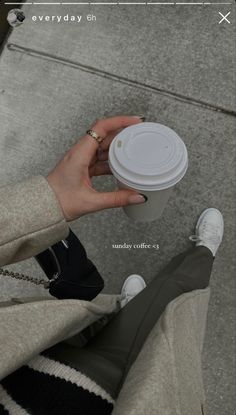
[71, 178]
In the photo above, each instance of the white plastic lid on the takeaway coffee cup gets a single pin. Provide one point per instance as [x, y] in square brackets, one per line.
[148, 156]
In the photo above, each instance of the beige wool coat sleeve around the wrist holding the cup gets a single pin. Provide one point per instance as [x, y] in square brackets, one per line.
[31, 220]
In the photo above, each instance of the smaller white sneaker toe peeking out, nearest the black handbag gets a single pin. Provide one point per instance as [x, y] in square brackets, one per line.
[131, 287]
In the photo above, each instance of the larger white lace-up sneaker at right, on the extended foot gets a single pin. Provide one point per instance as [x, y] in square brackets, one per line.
[209, 230]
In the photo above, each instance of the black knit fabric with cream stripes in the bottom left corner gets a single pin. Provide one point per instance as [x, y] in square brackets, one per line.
[47, 387]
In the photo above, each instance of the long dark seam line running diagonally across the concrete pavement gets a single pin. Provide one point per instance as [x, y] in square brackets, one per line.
[117, 78]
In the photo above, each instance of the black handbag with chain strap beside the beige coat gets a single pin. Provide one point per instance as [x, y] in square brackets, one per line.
[70, 273]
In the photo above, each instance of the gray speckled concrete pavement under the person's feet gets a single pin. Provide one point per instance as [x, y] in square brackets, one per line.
[175, 65]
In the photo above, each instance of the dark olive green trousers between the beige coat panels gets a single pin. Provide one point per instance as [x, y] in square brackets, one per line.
[108, 356]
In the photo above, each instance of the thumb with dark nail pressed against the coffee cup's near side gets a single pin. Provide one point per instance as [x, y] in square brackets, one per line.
[119, 198]
